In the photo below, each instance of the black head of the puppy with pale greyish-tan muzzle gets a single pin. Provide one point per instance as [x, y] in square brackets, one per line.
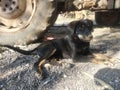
[83, 30]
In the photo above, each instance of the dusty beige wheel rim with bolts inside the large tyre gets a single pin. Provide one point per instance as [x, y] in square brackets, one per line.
[16, 15]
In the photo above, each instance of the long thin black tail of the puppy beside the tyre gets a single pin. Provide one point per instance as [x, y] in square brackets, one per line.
[30, 52]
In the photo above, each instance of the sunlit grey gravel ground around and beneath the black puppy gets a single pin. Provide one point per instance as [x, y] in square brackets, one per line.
[17, 71]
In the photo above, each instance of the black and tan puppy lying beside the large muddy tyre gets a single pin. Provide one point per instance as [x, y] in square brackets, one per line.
[67, 47]
